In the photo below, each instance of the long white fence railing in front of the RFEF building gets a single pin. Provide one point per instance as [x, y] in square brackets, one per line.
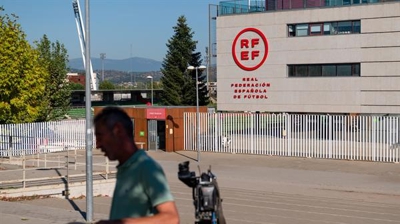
[372, 138]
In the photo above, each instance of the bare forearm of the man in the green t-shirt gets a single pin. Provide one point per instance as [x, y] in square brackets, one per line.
[167, 213]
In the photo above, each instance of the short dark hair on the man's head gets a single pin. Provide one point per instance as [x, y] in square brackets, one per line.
[112, 115]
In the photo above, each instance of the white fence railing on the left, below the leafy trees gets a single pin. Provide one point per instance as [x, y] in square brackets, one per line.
[33, 138]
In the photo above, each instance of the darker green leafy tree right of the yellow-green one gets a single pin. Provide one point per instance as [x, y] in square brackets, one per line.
[54, 59]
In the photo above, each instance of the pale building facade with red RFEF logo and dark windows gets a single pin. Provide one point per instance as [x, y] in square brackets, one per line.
[309, 56]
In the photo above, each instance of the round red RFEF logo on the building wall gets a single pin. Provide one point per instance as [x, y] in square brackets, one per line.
[250, 49]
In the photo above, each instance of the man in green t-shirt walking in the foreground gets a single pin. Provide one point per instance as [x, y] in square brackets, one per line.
[141, 192]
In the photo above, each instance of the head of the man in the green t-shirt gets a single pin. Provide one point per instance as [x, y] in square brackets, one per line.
[113, 130]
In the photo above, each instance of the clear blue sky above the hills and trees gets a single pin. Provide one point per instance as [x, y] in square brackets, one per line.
[118, 28]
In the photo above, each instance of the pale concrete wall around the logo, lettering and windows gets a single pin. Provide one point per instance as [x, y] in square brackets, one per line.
[376, 48]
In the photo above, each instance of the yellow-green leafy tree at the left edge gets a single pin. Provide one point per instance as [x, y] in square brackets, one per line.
[22, 78]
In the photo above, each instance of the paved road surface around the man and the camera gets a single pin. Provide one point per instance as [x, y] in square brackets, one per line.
[258, 189]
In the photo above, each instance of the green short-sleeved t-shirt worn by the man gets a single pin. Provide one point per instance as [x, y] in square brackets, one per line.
[141, 186]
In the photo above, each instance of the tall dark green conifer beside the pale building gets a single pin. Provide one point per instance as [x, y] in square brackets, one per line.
[179, 85]
